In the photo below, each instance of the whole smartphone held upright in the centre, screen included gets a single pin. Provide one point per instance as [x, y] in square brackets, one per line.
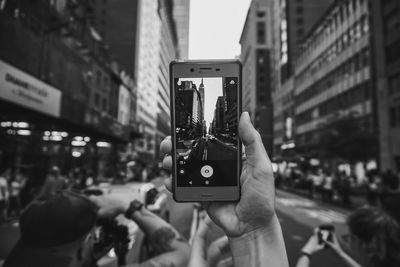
[205, 109]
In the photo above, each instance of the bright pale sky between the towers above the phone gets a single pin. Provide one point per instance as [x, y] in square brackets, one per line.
[215, 28]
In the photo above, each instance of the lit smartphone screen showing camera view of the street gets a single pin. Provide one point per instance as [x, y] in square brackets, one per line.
[206, 127]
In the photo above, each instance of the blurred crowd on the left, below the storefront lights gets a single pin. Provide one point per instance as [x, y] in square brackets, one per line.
[16, 191]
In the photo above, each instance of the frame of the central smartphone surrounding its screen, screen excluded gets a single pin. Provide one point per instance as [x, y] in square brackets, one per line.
[204, 68]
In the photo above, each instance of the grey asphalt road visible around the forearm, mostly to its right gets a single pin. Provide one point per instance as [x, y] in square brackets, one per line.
[298, 217]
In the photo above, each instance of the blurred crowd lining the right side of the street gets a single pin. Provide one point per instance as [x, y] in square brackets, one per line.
[340, 186]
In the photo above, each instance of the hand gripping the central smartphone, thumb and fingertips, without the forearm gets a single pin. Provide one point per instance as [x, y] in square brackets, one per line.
[256, 208]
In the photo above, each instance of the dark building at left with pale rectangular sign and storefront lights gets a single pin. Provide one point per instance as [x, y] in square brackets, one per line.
[59, 88]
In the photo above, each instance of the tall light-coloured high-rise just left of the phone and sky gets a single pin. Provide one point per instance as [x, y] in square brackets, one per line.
[156, 47]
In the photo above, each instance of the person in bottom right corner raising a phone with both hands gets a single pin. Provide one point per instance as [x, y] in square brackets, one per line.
[373, 234]
